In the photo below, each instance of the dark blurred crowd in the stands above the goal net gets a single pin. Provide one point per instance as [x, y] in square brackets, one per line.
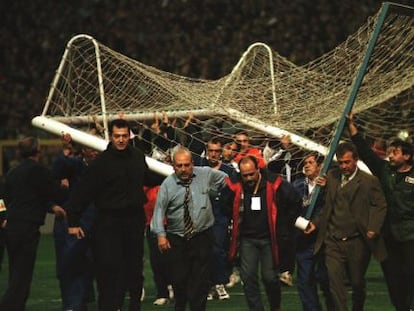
[191, 38]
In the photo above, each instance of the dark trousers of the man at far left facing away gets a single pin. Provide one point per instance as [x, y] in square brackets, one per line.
[22, 240]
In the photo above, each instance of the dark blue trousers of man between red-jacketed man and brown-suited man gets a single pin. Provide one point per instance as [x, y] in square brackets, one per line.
[311, 272]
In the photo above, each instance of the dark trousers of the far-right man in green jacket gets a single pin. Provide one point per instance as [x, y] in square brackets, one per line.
[398, 271]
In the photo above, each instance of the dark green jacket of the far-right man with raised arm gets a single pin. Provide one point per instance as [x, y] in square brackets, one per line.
[399, 195]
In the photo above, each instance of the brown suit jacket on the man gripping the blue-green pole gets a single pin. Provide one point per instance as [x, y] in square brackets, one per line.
[367, 206]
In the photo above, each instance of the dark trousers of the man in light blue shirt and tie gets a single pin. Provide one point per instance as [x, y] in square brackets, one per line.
[190, 264]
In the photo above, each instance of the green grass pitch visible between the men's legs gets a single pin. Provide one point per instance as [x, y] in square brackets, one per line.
[45, 294]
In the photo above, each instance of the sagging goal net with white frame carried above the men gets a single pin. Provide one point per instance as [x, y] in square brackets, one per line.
[265, 94]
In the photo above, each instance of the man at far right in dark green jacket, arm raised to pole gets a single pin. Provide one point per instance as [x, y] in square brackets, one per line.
[397, 181]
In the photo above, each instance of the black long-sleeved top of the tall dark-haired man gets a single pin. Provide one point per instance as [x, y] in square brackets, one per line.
[114, 183]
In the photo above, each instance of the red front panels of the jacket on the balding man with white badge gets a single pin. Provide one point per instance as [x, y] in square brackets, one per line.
[272, 213]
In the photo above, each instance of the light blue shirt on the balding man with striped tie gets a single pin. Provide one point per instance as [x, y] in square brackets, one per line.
[170, 202]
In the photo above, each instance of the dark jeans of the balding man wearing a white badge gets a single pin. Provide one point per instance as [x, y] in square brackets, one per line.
[255, 252]
